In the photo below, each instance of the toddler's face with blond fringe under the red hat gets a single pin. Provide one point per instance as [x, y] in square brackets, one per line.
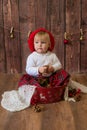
[41, 44]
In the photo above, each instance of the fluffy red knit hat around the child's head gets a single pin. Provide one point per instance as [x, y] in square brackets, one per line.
[31, 39]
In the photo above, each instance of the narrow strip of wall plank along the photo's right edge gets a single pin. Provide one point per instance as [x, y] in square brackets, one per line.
[84, 41]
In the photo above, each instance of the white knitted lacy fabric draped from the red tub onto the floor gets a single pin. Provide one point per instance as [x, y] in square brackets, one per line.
[17, 100]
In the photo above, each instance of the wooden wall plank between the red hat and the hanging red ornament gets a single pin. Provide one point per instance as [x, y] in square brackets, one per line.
[57, 27]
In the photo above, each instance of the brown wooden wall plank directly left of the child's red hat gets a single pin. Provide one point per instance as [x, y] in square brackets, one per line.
[27, 23]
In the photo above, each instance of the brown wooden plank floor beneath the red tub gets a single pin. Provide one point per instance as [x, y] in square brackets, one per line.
[57, 116]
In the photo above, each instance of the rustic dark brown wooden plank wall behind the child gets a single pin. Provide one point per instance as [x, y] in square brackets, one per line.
[58, 16]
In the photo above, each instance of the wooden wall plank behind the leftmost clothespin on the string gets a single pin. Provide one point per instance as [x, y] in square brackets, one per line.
[12, 45]
